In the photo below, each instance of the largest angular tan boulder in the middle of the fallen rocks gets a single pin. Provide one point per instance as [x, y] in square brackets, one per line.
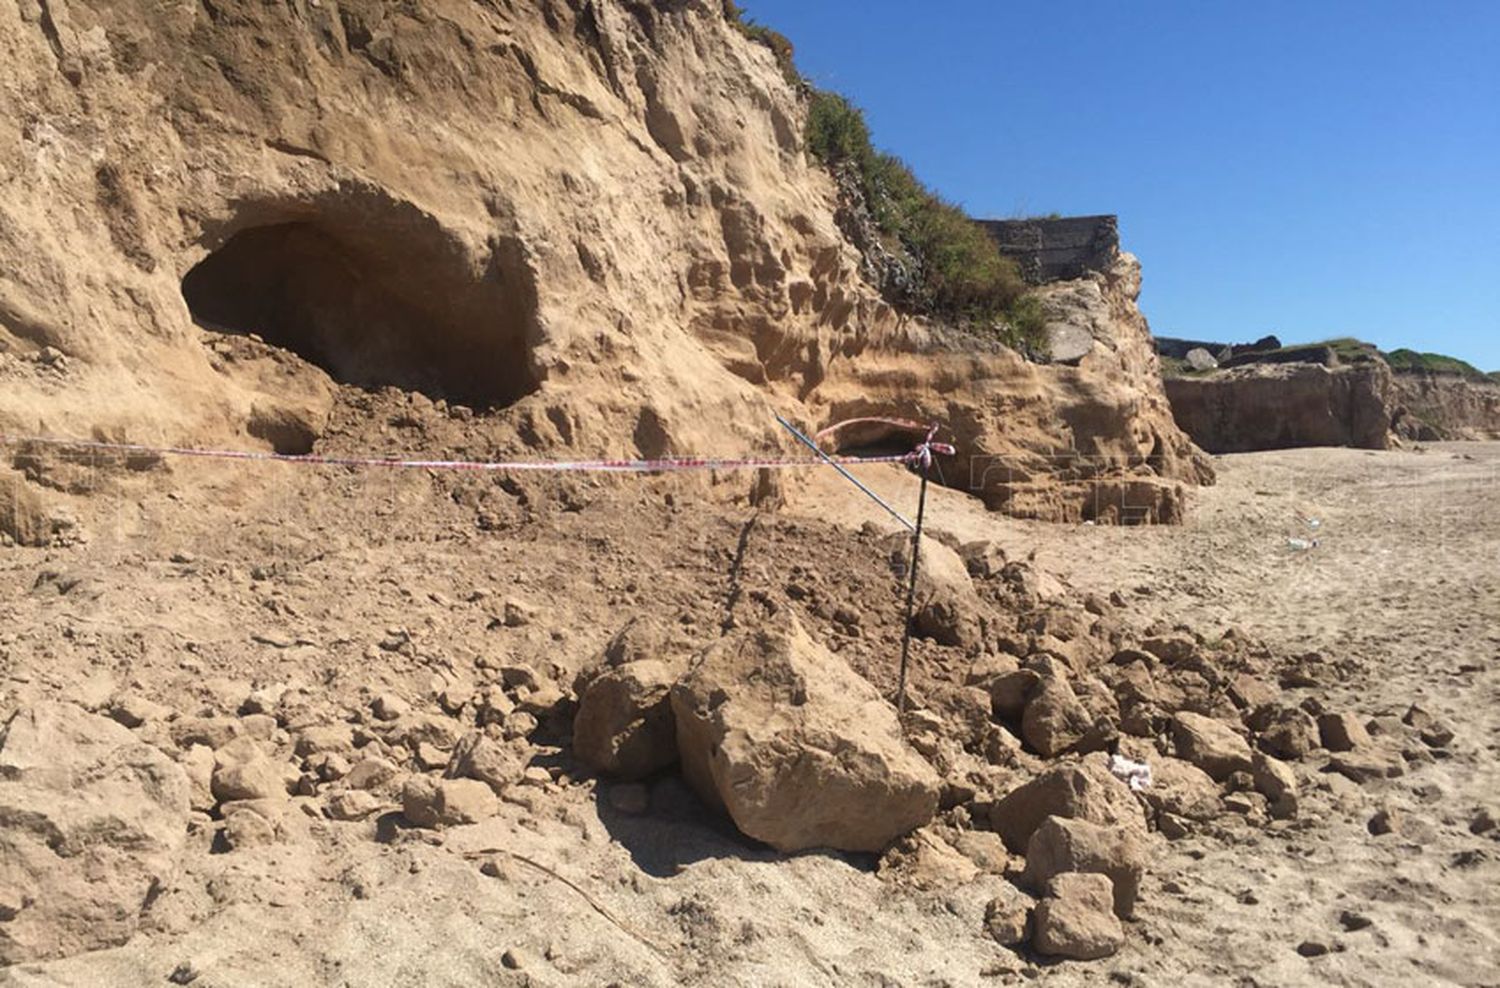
[797, 747]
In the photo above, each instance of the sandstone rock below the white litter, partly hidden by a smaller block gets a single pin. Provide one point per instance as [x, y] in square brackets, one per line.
[1085, 791]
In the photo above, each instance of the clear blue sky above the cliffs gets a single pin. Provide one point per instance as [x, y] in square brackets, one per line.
[1313, 170]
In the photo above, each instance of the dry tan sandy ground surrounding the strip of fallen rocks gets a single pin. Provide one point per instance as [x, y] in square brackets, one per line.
[200, 582]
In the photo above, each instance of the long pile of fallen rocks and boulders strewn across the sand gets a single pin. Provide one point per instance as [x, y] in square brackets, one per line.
[1025, 755]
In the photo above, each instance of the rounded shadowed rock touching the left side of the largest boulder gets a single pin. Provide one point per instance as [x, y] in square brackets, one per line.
[625, 722]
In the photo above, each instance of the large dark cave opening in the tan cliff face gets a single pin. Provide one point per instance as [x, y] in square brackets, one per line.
[374, 302]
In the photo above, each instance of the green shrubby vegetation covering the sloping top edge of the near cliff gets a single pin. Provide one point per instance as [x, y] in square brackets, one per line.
[962, 272]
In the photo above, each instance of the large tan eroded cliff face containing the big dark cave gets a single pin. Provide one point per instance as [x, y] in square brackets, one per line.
[592, 223]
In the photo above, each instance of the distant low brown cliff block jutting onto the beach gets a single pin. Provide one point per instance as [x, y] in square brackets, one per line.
[1277, 407]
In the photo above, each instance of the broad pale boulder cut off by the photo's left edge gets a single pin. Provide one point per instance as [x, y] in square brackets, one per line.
[91, 827]
